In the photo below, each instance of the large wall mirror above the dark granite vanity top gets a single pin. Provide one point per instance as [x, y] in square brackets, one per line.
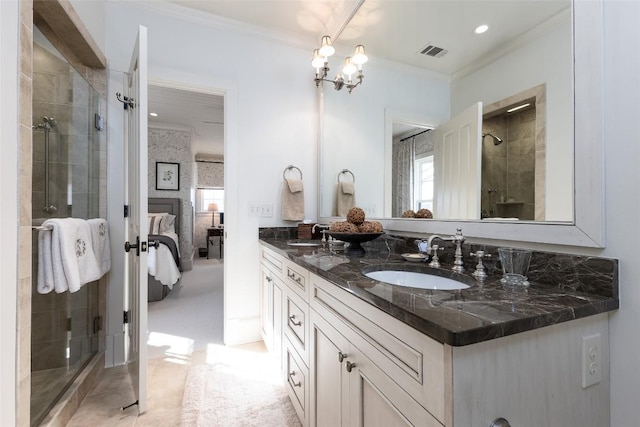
[526, 55]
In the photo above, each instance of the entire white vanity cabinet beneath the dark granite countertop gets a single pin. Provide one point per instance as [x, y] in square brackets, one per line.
[346, 362]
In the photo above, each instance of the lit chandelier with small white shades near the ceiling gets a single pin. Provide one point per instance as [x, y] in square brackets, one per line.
[352, 65]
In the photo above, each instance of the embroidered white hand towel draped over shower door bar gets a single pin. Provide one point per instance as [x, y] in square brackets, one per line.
[72, 254]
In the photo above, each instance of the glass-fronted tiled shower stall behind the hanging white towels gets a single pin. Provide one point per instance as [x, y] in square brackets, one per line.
[65, 182]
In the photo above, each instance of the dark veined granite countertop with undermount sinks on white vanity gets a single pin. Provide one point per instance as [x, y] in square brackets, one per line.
[563, 287]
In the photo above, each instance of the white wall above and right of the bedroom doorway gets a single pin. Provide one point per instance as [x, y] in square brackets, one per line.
[270, 116]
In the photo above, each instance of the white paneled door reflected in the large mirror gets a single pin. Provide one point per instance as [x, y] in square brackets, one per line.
[457, 166]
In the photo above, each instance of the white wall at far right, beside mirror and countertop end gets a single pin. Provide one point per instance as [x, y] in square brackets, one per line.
[622, 148]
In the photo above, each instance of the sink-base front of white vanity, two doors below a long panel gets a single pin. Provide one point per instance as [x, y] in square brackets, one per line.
[367, 374]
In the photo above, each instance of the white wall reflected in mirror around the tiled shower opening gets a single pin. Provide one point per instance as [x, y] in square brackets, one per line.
[548, 60]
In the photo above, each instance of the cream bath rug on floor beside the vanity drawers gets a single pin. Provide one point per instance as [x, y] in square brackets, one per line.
[236, 391]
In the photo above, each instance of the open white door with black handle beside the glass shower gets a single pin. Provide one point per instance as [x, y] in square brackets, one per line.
[135, 90]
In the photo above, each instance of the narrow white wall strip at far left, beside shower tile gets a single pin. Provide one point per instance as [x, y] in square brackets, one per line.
[9, 48]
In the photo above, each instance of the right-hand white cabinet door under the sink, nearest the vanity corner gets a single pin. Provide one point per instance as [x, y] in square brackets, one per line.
[376, 400]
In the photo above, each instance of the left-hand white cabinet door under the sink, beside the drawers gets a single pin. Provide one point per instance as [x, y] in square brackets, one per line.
[329, 384]
